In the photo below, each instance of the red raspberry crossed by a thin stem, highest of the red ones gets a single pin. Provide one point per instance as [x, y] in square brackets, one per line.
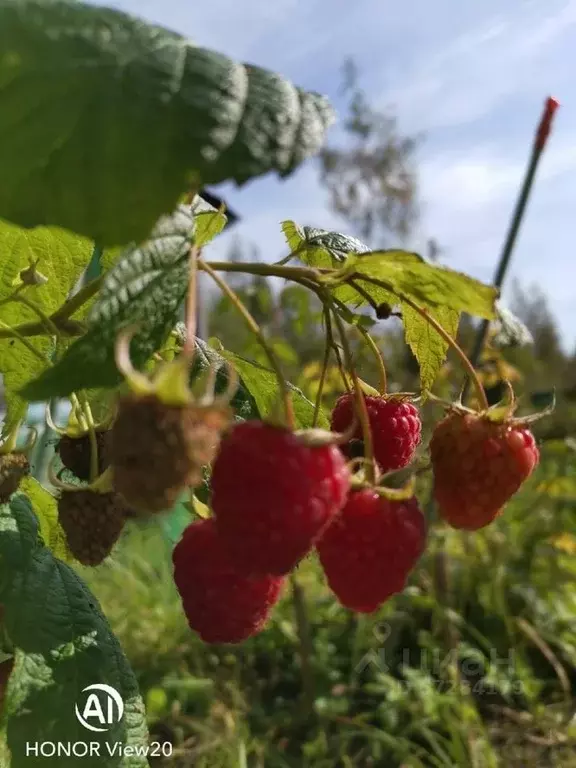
[395, 424]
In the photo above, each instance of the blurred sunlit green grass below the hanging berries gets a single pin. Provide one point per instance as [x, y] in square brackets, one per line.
[477, 675]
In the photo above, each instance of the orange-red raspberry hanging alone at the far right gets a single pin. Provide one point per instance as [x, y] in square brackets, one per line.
[478, 465]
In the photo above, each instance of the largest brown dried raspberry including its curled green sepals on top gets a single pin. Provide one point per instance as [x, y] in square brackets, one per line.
[162, 436]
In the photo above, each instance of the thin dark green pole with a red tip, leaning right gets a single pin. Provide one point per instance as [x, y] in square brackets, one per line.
[540, 139]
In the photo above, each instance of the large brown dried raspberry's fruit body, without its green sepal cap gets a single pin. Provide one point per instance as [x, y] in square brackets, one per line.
[158, 450]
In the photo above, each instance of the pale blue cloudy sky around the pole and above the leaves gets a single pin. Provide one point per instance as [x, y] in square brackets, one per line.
[471, 76]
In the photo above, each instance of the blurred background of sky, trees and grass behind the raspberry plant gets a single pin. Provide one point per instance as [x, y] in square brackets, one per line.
[474, 665]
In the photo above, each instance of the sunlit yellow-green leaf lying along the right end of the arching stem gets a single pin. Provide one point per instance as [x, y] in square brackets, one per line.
[410, 275]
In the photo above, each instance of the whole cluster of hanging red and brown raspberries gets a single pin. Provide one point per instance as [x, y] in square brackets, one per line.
[278, 495]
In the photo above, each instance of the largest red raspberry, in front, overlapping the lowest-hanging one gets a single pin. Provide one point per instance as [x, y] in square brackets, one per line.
[273, 495]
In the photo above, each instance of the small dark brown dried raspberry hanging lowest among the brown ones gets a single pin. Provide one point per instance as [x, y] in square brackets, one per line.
[92, 521]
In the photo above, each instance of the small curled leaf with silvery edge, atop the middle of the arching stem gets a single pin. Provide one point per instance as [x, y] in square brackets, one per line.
[319, 248]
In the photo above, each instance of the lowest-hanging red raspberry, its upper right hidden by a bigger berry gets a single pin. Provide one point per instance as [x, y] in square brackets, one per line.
[222, 605]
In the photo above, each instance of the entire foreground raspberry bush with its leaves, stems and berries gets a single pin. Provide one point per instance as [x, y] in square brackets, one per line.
[153, 409]
